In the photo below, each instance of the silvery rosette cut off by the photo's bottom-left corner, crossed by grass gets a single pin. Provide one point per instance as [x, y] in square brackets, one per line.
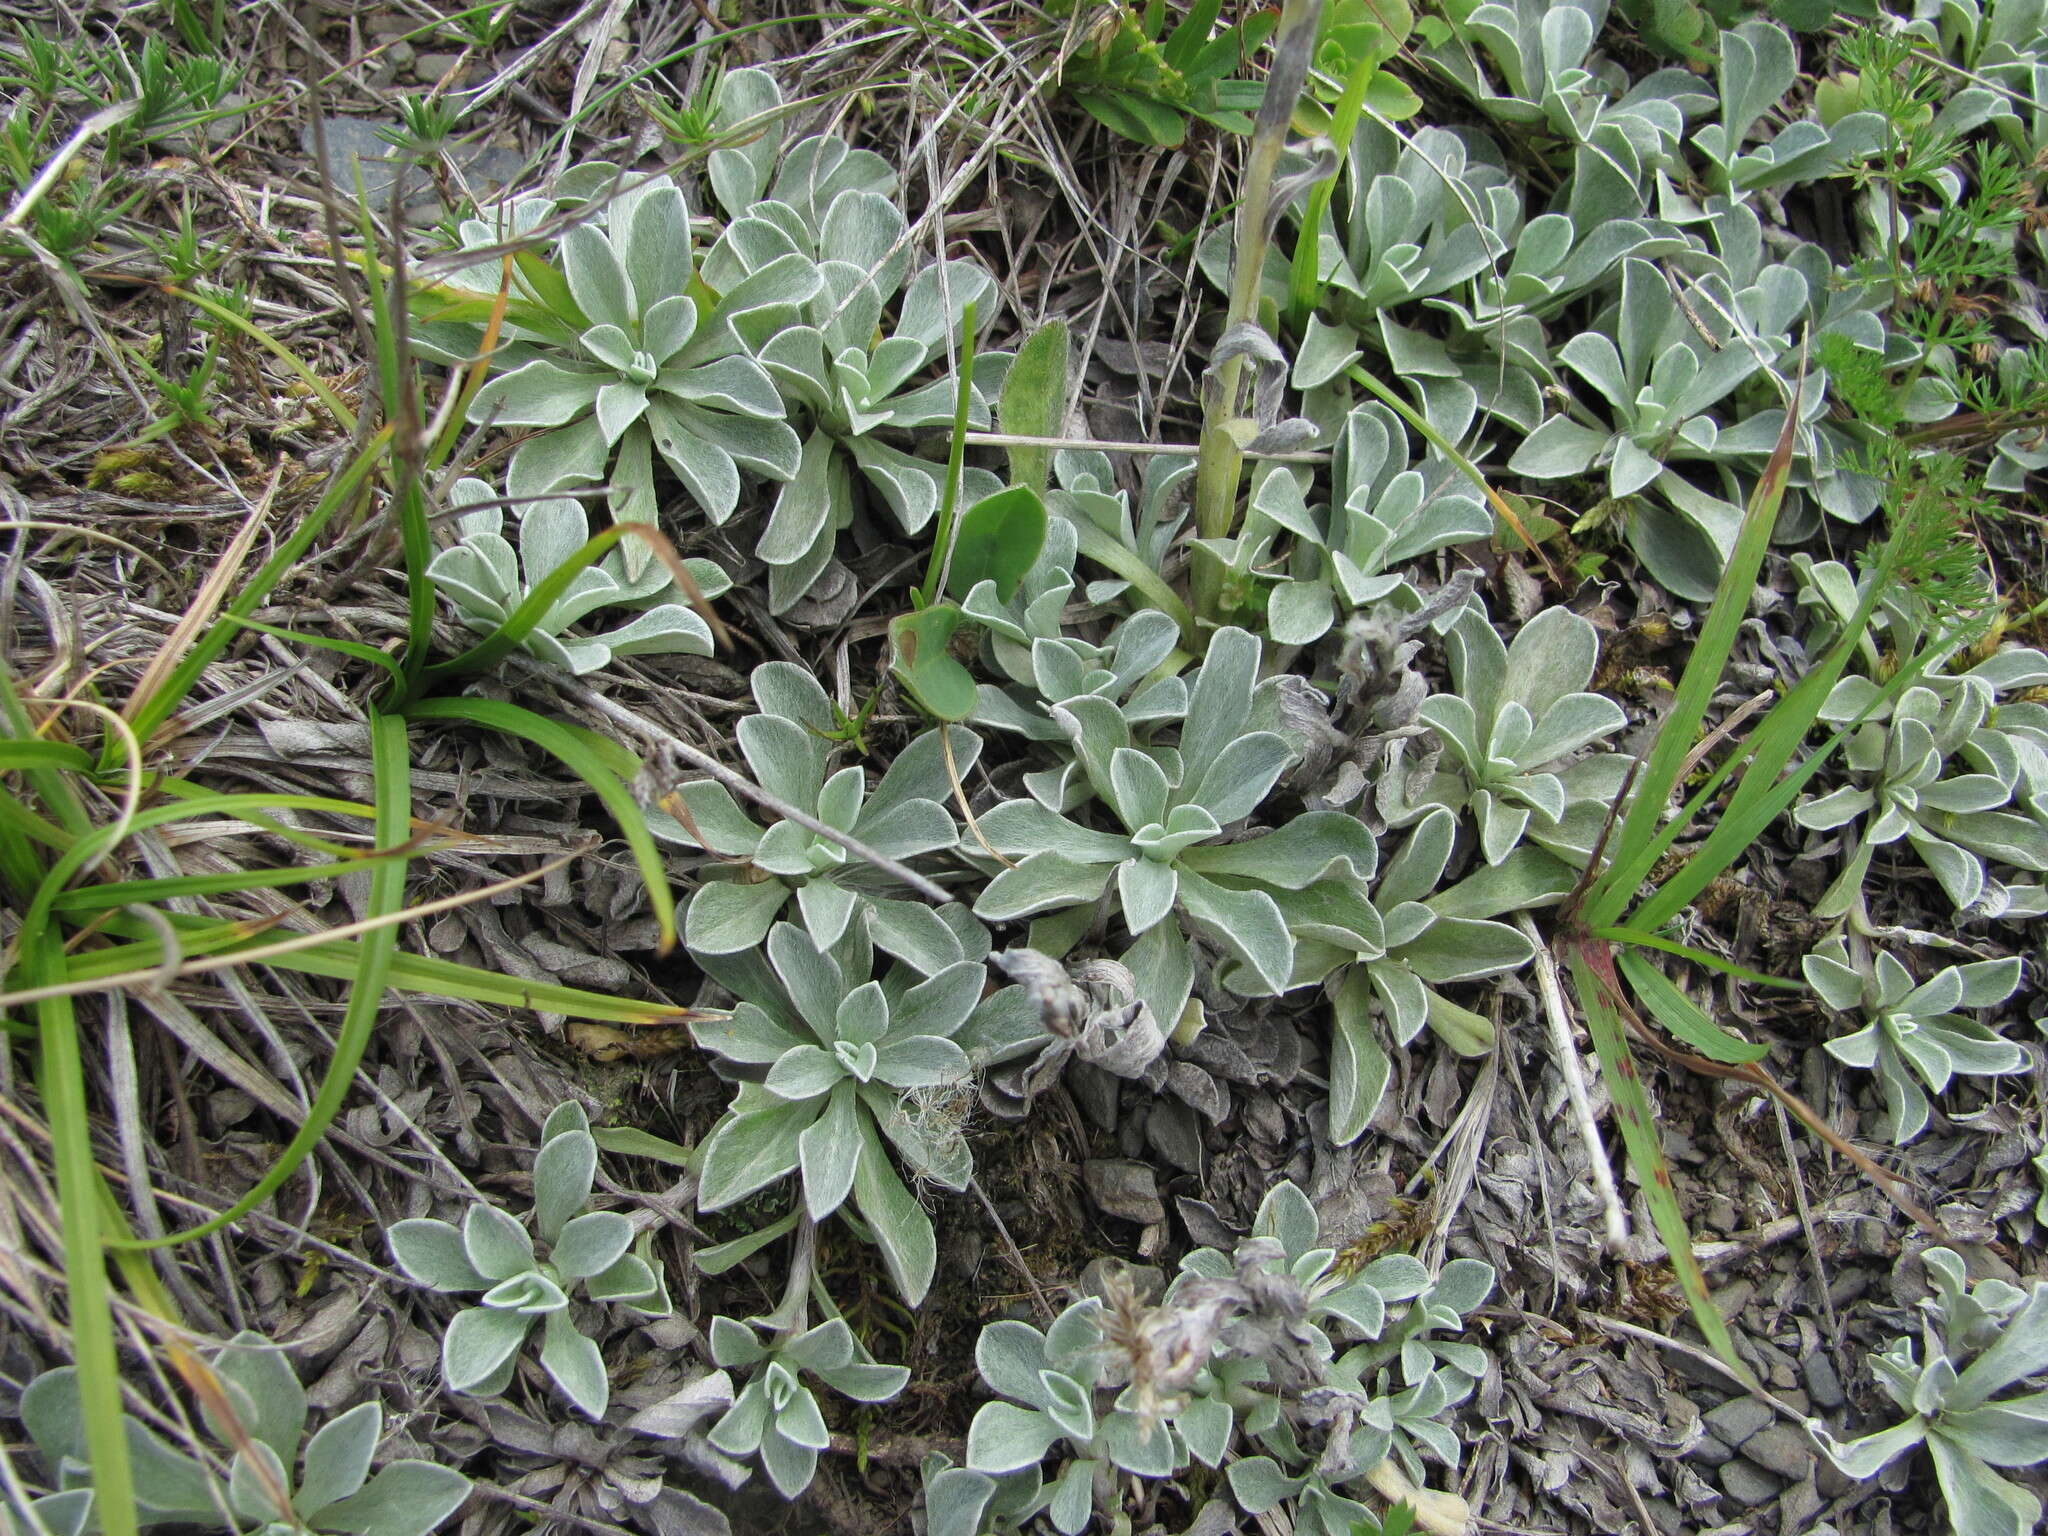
[325, 1486]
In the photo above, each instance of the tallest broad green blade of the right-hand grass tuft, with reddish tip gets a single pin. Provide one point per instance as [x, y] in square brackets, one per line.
[1613, 892]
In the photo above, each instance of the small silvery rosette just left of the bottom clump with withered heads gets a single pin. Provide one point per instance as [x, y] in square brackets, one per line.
[777, 1416]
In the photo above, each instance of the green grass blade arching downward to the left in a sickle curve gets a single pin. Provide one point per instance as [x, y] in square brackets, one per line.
[392, 769]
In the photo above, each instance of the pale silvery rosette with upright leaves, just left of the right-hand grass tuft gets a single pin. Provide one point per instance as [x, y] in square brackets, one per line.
[1512, 718]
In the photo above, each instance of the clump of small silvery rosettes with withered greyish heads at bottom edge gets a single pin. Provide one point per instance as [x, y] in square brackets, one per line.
[1242, 1355]
